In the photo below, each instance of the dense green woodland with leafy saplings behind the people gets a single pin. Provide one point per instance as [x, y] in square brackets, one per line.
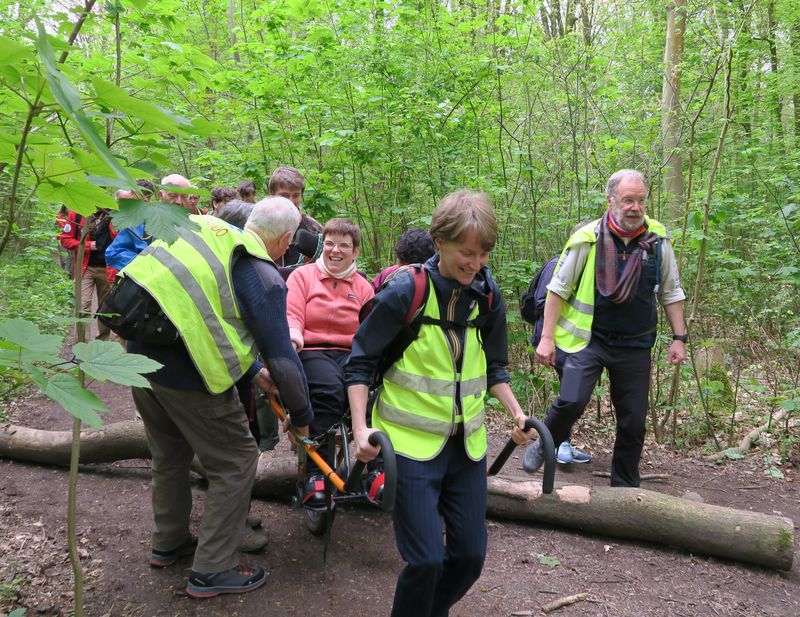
[387, 106]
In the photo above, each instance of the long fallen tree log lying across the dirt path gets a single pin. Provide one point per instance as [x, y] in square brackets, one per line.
[620, 512]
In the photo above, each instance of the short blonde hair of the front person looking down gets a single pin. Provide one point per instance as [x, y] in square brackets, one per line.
[461, 212]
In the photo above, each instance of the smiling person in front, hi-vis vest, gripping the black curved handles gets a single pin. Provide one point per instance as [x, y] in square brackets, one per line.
[431, 404]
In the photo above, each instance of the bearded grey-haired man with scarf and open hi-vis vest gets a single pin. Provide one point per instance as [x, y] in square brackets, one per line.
[601, 312]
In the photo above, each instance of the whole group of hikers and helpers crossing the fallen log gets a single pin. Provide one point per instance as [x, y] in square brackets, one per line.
[261, 300]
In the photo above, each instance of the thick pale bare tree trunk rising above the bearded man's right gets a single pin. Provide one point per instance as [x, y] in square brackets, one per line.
[671, 107]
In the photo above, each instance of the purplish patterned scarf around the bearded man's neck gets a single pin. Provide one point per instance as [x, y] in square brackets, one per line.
[620, 289]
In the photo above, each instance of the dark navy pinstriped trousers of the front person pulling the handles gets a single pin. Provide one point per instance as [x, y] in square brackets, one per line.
[449, 488]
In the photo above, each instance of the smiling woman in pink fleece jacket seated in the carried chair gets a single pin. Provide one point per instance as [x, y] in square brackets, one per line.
[323, 303]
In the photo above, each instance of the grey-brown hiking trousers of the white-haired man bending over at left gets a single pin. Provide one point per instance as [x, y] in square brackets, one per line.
[180, 424]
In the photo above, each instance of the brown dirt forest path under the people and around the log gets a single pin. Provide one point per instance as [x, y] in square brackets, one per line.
[527, 567]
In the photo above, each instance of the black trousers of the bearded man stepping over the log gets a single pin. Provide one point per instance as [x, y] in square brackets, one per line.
[629, 374]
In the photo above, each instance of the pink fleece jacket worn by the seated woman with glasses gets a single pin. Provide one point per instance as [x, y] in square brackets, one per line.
[322, 310]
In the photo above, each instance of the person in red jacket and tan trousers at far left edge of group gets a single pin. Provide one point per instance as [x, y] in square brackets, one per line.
[93, 269]
